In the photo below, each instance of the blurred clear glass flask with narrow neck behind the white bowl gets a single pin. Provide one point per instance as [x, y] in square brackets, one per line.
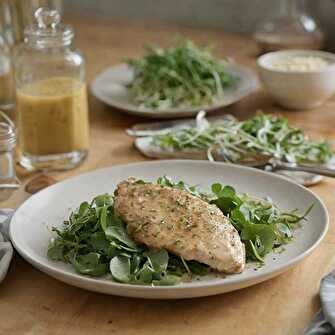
[291, 29]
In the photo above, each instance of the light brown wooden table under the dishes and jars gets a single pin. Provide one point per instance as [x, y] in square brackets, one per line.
[35, 304]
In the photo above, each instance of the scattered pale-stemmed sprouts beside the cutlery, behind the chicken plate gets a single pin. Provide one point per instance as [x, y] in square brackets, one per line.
[260, 134]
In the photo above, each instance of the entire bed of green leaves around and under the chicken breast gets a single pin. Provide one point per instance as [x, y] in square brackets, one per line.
[95, 241]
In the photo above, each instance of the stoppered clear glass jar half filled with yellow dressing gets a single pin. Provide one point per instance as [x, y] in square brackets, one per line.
[51, 97]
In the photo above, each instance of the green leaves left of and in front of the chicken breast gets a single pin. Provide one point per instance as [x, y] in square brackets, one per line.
[95, 241]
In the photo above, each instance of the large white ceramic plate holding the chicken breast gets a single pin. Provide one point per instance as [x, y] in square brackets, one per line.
[30, 227]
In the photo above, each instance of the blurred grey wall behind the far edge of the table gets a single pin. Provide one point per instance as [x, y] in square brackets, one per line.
[228, 15]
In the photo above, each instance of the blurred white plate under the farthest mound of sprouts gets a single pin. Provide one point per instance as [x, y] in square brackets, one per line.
[111, 88]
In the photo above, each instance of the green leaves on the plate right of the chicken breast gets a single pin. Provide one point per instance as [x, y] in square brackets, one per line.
[262, 226]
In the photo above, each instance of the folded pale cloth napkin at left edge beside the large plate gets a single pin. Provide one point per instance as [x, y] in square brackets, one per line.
[6, 249]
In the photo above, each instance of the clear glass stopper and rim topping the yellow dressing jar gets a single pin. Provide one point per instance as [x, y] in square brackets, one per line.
[48, 30]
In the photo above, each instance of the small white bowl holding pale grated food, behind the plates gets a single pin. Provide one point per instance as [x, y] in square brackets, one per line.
[297, 89]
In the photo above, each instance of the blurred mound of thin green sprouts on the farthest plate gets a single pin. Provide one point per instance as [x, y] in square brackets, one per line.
[186, 75]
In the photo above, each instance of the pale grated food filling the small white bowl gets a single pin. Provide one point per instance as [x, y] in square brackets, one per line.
[300, 63]
